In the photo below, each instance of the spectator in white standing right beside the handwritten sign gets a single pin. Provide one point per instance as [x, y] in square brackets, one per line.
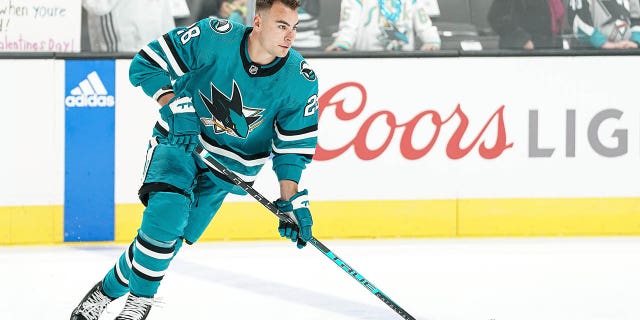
[126, 25]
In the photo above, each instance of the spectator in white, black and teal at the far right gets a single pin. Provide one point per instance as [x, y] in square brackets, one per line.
[606, 24]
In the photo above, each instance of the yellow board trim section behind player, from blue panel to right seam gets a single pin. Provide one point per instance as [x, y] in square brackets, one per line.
[352, 219]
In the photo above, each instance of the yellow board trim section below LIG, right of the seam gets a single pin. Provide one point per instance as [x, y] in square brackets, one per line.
[549, 217]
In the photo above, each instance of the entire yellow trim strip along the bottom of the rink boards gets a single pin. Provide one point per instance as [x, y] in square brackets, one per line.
[369, 219]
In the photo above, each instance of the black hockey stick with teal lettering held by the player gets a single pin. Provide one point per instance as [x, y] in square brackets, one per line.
[215, 165]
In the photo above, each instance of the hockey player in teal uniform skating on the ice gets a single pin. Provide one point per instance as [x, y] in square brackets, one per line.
[244, 95]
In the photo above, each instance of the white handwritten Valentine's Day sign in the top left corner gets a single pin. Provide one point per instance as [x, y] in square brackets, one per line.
[40, 25]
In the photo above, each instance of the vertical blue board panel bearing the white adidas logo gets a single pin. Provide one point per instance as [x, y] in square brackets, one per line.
[89, 150]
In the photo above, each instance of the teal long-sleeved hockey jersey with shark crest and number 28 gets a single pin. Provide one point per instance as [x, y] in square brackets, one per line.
[248, 112]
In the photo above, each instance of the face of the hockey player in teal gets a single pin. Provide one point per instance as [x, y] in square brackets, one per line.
[278, 29]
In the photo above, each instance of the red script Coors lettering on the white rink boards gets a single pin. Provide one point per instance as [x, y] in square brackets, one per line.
[454, 149]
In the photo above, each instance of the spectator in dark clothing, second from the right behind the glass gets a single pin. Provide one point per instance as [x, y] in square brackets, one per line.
[527, 24]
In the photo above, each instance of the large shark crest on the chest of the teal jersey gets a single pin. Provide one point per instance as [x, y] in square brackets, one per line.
[230, 115]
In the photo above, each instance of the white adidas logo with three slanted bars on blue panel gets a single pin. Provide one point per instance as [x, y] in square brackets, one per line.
[90, 92]
